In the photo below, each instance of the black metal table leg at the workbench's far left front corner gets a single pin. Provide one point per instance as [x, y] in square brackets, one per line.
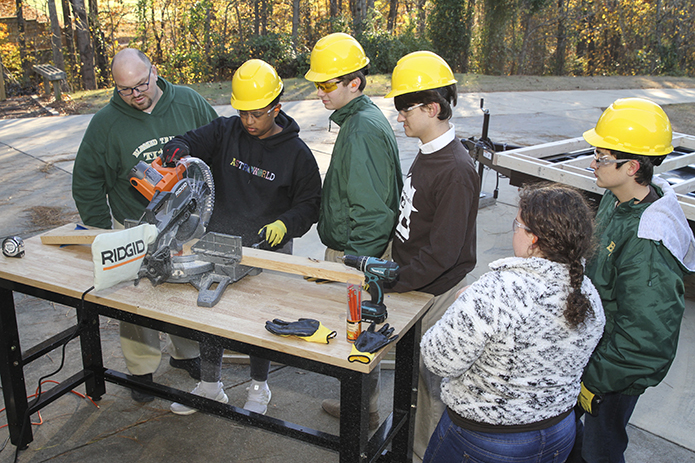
[12, 373]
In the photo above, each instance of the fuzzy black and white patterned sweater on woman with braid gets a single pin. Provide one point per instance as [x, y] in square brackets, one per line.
[504, 349]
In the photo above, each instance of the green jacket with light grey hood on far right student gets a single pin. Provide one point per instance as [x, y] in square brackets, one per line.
[640, 282]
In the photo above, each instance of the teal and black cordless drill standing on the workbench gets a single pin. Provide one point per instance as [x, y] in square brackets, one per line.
[376, 272]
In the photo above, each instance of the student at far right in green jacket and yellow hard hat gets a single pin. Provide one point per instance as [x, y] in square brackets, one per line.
[645, 246]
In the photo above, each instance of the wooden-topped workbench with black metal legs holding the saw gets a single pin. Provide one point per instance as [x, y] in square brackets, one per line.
[63, 274]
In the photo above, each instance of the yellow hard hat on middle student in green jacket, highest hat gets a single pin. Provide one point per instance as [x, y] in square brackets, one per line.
[335, 55]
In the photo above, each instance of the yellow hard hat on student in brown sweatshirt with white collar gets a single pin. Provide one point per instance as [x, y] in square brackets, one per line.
[420, 70]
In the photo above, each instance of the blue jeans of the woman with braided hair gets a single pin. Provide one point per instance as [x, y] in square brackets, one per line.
[451, 444]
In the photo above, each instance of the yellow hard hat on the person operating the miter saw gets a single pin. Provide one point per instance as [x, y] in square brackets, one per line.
[255, 85]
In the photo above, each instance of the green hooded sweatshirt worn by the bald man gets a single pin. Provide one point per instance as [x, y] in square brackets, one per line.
[118, 136]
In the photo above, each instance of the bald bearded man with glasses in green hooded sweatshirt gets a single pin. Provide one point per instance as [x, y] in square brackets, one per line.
[144, 113]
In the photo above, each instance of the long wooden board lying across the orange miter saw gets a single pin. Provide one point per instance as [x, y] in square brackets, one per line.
[269, 260]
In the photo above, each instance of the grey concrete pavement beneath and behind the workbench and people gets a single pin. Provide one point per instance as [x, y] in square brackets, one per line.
[38, 155]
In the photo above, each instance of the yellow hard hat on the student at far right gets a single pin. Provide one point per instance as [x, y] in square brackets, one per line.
[633, 125]
